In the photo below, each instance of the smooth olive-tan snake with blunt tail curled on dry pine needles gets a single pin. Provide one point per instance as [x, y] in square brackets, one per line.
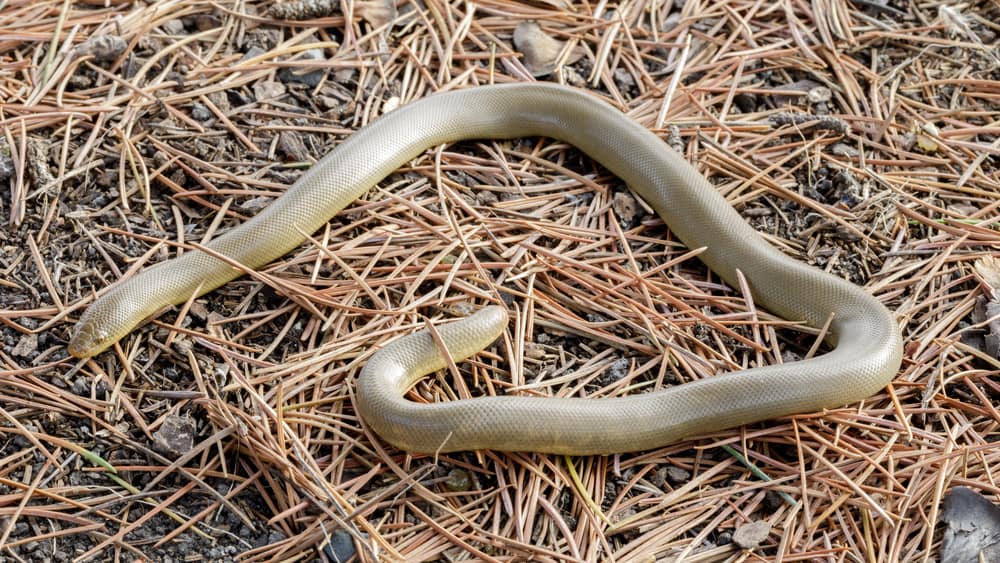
[863, 338]
